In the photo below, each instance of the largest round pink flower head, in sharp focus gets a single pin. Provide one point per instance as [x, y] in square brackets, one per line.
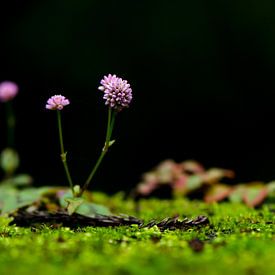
[117, 92]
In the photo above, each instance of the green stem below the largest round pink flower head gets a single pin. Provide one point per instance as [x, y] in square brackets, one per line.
[110, 126]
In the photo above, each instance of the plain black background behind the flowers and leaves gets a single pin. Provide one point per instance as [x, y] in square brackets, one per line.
[202, 74]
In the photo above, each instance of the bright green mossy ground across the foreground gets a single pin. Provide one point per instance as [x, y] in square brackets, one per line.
[239, 240]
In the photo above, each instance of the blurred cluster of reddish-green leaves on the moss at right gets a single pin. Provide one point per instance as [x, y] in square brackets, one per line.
[188, 176]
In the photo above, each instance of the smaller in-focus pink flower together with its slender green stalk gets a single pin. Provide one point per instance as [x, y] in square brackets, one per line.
[58, 102]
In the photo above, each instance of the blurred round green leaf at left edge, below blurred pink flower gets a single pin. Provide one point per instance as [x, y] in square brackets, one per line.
[9, 160]
